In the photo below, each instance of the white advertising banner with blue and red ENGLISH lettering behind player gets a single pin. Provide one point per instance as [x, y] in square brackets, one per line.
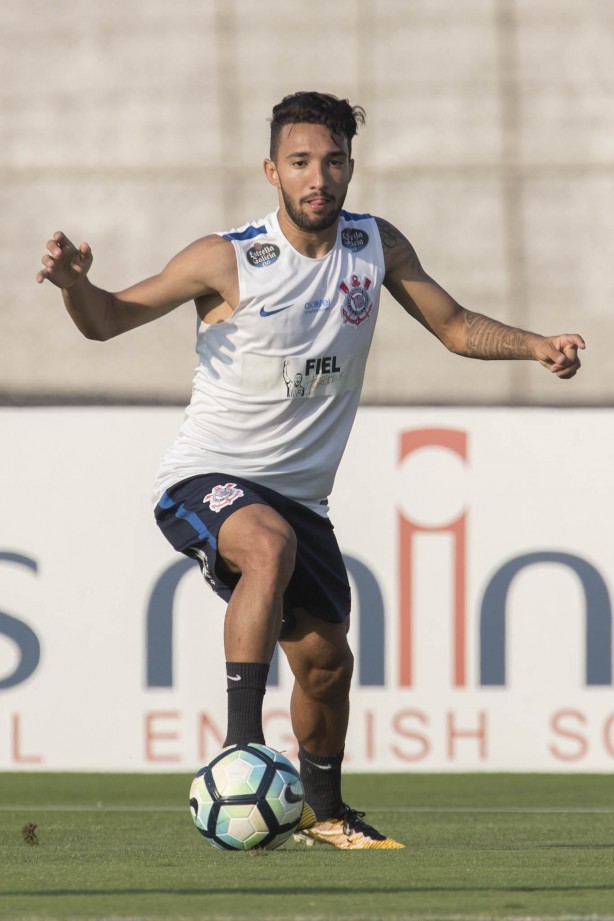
[480, 556]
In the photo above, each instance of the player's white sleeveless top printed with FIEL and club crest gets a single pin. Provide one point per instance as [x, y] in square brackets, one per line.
[278, 384]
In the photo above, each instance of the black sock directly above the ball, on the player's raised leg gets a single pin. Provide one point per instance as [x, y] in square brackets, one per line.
[246, 688]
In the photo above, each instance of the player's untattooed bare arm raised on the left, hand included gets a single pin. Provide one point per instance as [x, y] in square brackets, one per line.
[206, 267]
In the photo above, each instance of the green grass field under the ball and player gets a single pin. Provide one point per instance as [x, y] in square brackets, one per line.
[478, 847]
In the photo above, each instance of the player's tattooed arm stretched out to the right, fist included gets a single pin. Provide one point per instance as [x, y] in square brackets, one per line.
[462, 331]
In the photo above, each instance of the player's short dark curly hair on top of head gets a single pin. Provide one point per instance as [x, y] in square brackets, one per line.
[341, 118]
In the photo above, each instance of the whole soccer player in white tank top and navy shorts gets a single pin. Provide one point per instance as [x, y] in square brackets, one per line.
[287, 305]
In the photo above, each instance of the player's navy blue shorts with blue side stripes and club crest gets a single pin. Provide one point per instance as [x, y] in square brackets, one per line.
[191, 513]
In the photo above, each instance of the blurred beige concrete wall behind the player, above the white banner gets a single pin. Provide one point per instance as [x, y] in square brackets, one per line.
[140, 125]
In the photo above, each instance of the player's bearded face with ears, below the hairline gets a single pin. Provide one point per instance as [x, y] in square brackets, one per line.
[312, 172]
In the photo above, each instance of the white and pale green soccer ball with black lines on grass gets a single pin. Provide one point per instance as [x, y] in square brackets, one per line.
[248, 796]
